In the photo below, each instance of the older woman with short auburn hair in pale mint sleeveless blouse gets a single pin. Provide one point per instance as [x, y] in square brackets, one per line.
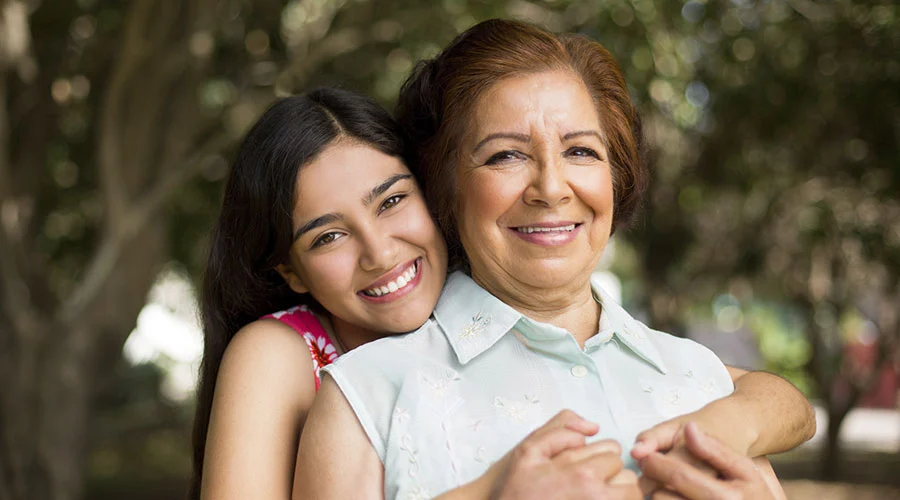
[529, 152]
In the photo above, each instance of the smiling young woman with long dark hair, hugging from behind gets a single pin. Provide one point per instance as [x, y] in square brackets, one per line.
[323, 243]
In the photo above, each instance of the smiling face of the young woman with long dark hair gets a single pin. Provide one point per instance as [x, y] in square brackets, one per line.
[365, 246]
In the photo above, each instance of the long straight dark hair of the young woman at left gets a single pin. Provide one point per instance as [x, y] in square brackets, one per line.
[254, 231]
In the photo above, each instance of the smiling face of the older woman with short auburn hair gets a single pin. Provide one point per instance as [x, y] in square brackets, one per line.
[535, 199]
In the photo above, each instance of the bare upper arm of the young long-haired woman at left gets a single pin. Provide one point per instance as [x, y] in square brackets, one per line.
[264, 390]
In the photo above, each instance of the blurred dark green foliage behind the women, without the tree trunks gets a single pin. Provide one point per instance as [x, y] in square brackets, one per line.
[773, 125]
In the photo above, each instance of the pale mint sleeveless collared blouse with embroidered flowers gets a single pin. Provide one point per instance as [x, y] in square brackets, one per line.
[442, 403]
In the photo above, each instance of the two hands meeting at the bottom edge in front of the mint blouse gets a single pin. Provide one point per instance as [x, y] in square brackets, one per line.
[677, 461]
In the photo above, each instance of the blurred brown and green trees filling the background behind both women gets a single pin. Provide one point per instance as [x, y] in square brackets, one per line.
[773, 126]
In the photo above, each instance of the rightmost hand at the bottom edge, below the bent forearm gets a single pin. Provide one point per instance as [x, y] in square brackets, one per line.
[738, 477]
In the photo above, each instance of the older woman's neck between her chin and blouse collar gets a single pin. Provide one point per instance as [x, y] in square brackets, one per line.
[571, 306]
